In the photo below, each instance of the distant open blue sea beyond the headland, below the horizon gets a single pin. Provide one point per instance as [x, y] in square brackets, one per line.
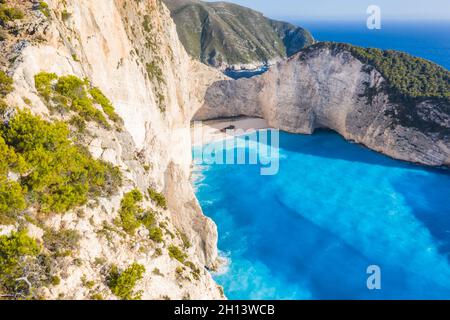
[426, 39]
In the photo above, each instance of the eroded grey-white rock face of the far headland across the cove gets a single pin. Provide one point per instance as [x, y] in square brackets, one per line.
[325, 89]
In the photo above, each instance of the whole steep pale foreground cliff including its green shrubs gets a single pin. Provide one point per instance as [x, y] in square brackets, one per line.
[81, 64]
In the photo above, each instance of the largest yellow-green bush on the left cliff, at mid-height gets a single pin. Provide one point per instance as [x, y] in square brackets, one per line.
[59, 175]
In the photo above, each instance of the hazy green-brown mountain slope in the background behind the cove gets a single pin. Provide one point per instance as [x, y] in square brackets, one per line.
[227, 35]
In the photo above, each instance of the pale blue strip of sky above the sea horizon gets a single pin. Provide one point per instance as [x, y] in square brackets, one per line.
[350, 9]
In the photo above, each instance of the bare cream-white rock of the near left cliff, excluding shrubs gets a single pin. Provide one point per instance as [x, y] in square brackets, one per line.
[130, 50]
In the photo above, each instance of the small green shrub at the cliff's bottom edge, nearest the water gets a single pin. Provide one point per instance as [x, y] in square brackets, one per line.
[122, 283]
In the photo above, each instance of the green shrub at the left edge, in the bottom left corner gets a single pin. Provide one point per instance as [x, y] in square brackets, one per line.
[15, 252]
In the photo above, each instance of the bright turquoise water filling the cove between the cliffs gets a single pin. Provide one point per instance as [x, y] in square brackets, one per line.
[334, 208]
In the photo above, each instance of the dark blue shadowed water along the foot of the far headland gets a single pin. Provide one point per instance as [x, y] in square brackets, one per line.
[425, 189]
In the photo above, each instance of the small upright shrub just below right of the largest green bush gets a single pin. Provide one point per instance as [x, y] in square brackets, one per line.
[130, 210]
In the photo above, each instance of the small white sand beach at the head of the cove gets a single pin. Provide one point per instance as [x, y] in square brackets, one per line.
[212, 130]
